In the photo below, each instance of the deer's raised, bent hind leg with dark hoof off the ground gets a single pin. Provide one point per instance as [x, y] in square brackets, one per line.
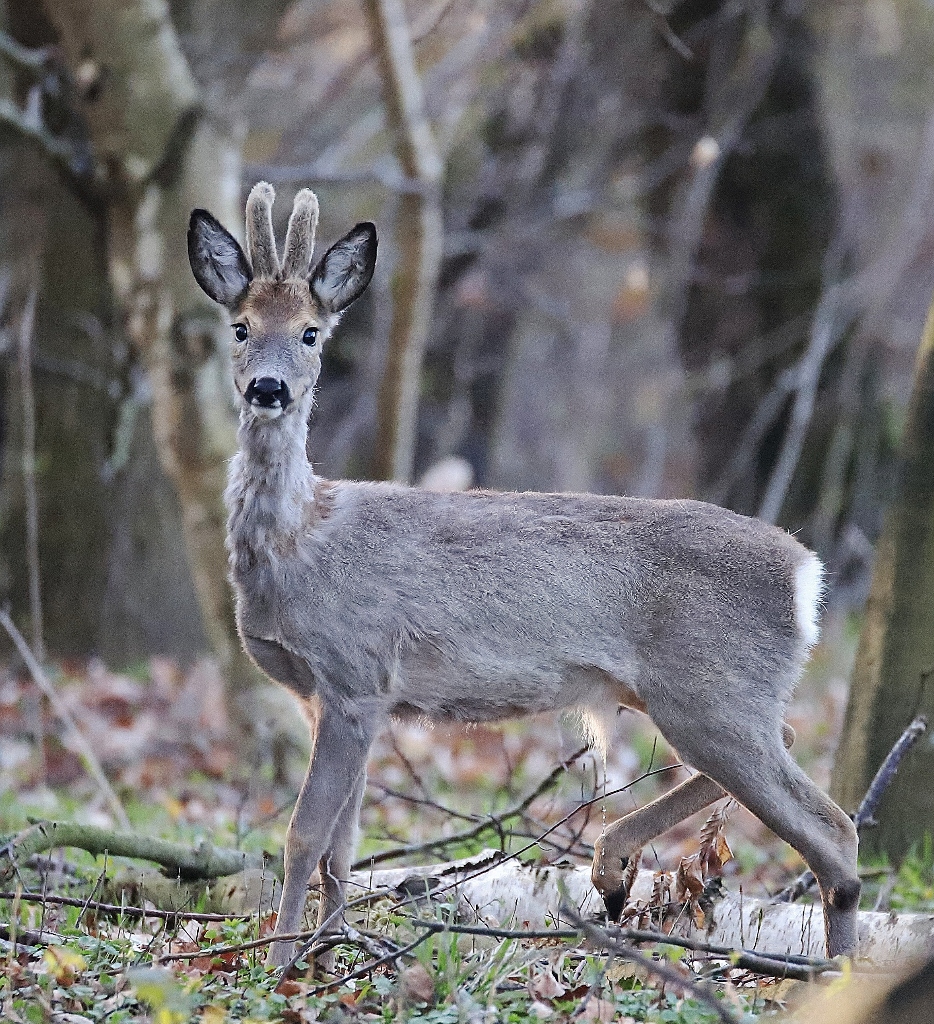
[624, 838]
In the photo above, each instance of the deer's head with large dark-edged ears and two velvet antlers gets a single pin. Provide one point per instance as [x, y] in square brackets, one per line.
[282, 314]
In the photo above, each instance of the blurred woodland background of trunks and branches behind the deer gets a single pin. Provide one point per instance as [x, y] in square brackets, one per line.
[653, 248]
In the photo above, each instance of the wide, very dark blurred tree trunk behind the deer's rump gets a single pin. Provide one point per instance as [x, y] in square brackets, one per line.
[752, 209]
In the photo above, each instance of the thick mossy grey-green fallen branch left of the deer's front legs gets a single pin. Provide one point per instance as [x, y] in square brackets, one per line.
[188, 863]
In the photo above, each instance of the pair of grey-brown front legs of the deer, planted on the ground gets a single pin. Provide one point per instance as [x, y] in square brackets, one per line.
[327, 802]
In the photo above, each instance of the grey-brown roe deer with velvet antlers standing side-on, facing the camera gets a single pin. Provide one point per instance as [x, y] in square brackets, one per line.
[369, 601]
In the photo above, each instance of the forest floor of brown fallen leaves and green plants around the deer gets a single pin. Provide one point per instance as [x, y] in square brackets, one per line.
[182, 777]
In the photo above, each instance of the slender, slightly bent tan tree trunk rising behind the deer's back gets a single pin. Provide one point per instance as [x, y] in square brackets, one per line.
[418, 241]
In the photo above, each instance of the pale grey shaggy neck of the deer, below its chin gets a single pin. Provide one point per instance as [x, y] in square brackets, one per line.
[273, 497]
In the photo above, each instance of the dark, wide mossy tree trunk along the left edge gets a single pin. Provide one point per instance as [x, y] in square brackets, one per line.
[50, 237]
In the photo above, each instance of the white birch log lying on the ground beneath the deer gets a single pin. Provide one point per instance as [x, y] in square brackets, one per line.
[517, 895]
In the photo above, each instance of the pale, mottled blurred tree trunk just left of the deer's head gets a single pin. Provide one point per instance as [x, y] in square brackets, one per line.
[163, 154]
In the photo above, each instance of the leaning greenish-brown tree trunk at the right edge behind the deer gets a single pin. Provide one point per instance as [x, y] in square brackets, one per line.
[894, 676]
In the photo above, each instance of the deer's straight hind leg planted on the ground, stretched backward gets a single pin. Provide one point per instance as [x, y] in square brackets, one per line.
[749, 760]
